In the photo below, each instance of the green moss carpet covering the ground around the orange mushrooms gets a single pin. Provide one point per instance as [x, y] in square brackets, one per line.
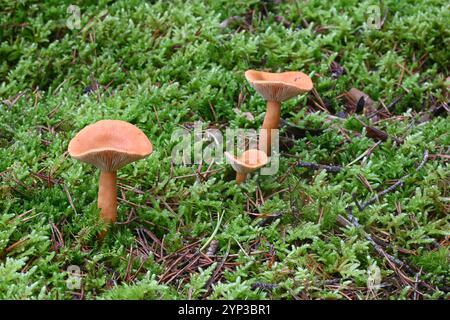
[163, 65]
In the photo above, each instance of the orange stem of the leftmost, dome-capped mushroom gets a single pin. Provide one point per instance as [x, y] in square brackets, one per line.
[107, 196]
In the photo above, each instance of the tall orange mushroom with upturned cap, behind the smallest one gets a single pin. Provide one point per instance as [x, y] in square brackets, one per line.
[276, 88]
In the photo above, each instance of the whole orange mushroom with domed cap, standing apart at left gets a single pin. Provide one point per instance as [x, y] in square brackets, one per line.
[109, 145]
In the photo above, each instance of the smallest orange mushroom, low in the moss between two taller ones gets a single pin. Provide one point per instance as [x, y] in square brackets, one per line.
[247, 162]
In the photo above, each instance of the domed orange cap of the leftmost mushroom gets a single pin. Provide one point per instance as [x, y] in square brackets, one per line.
[110, 144]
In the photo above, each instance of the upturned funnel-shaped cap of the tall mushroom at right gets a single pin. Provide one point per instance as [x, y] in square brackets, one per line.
[279, 86]
